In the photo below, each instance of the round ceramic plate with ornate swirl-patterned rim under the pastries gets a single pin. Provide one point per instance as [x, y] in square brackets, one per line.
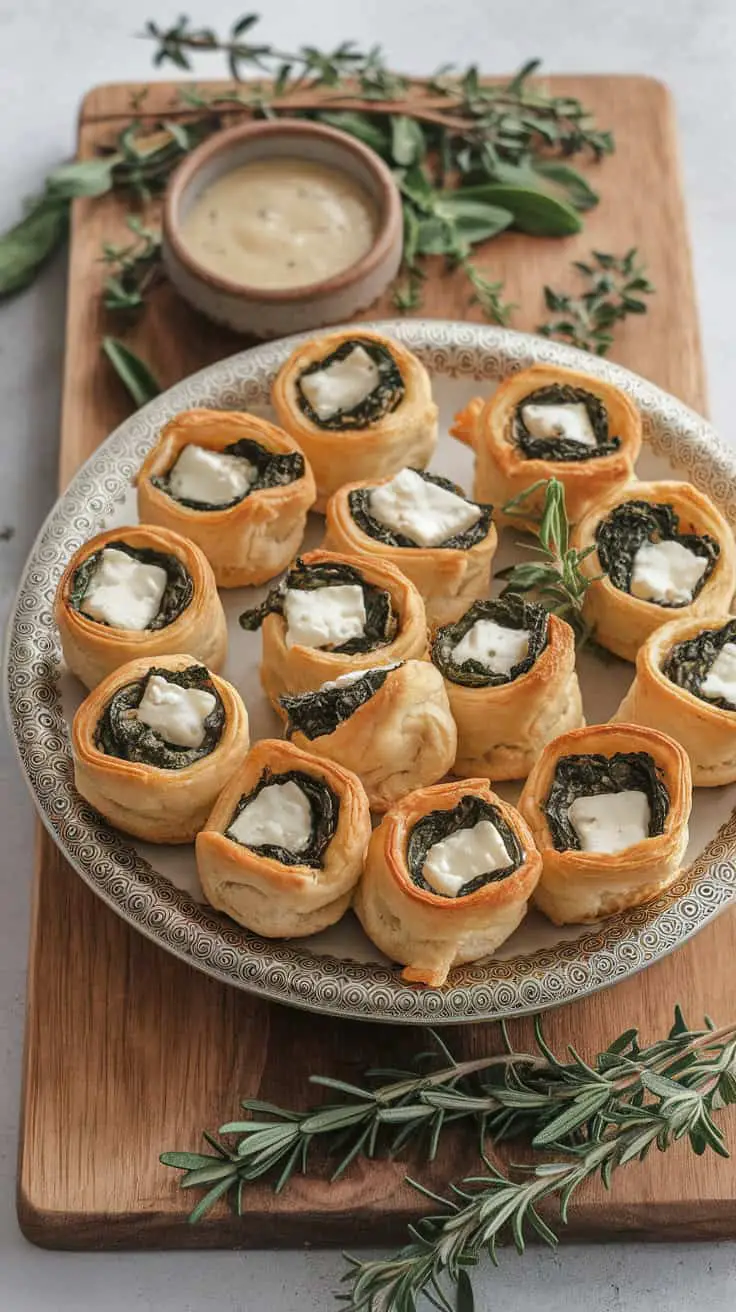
[340, 972]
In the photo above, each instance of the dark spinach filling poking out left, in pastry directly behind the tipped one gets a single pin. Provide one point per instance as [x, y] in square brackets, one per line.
[381, 624]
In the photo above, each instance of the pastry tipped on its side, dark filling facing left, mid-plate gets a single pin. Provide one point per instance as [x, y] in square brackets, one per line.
[390, 725]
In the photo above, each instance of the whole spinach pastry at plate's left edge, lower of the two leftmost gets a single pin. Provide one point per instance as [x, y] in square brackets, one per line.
[155, 743]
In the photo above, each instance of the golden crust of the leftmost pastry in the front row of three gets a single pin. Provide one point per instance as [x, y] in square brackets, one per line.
[263, 894]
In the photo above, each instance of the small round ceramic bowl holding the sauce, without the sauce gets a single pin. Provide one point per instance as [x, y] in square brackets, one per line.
[267, 313]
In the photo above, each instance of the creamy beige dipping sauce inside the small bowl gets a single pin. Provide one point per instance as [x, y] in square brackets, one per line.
[281, 224]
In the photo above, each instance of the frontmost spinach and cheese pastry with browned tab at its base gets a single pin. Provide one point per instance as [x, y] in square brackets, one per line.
[449, 874]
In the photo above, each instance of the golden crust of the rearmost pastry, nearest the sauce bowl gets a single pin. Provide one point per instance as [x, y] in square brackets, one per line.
[409, 436]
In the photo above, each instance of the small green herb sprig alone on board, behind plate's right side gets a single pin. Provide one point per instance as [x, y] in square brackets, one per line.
[616, 287]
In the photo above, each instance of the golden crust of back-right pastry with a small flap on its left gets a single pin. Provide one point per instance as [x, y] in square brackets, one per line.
[503, 472]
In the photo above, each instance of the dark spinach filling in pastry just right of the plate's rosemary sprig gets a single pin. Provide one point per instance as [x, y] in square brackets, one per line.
[621, 535]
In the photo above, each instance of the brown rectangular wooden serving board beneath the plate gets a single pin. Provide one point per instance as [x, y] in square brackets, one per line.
[129, 1052]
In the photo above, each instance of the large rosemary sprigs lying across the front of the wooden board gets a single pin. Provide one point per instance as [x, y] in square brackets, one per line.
[591, 1117]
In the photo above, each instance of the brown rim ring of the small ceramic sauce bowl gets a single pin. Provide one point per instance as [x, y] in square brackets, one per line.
[385, 192]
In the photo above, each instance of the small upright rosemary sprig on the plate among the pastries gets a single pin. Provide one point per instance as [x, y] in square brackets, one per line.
[556, 578]
